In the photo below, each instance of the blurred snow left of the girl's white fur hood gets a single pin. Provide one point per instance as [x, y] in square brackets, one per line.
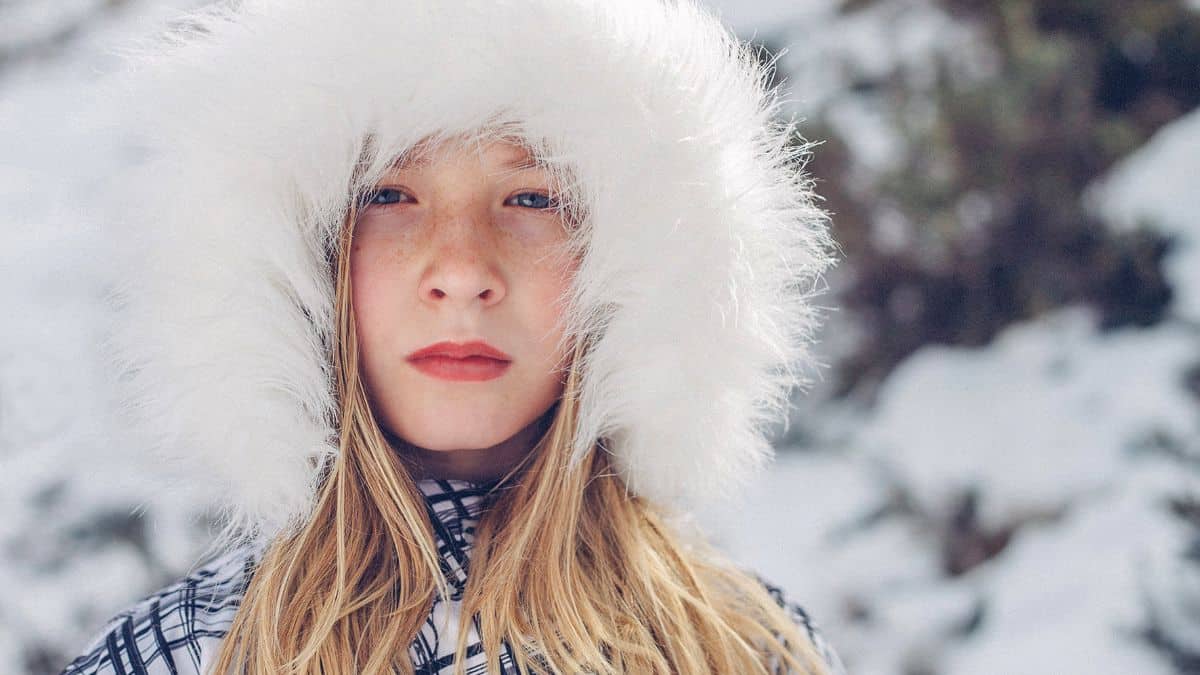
[59, 578]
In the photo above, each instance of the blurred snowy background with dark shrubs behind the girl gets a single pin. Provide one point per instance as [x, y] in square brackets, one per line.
[998, 469]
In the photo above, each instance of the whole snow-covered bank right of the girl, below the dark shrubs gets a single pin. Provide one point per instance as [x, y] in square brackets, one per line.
[1049, 425]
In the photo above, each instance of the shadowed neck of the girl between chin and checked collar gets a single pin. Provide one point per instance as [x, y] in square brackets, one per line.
[477, 465]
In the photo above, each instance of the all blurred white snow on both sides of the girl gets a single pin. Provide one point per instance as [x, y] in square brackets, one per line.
[1070, 440]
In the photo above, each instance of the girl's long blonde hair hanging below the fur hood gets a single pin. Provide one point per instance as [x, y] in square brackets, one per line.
[572, 571]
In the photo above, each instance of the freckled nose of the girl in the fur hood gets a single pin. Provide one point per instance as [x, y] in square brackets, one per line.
[463, 270]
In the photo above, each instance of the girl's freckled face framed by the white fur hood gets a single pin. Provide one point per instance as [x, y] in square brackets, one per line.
[461, 247]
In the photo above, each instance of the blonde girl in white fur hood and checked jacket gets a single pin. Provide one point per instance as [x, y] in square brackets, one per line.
[427, 288]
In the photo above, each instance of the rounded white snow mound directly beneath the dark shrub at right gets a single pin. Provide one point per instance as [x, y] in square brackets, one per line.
[1054, 405]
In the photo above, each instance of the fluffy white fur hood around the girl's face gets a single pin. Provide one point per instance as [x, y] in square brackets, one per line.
[704, 247]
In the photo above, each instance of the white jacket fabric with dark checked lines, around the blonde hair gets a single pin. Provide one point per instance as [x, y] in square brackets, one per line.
[179, 630]
